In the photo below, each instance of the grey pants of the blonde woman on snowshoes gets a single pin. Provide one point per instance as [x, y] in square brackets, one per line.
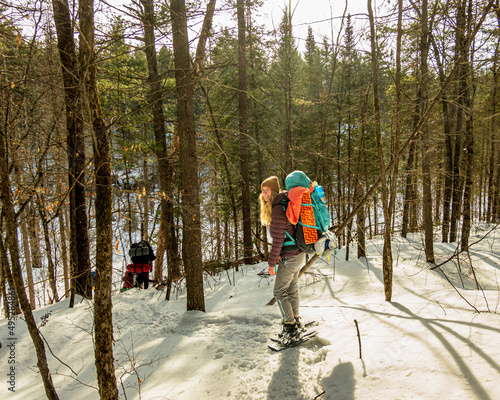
[286, 288]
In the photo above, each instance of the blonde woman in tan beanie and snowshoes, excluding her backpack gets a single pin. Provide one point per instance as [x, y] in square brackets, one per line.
[284, 261]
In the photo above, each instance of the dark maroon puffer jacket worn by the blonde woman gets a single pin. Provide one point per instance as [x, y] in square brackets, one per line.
[280, 224]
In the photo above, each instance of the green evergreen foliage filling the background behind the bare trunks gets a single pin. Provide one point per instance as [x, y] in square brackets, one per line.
[326, 89]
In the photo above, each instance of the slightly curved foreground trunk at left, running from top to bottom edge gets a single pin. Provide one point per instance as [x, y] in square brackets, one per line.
[103, 321]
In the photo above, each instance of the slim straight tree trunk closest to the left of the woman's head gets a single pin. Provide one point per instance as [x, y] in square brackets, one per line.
[242, 112]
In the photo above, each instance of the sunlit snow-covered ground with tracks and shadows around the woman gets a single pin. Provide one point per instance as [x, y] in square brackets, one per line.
[428, 343]
